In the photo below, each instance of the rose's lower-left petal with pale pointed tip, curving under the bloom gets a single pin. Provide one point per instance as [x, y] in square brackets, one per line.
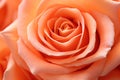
[28, 56]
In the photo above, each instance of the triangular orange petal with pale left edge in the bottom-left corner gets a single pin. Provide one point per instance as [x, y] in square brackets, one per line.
[13, 72]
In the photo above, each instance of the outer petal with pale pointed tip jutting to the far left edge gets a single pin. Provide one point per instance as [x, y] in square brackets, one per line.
[10, 36]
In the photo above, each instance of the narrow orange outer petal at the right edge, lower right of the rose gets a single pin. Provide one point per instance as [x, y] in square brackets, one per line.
[113, 59]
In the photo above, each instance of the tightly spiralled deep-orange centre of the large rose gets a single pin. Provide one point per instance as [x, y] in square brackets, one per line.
[65, 30]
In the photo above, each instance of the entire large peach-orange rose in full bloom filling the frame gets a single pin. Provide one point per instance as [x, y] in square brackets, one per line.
[47, 30]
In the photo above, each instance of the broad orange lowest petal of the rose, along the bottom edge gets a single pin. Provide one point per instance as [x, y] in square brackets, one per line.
[82, 74]
